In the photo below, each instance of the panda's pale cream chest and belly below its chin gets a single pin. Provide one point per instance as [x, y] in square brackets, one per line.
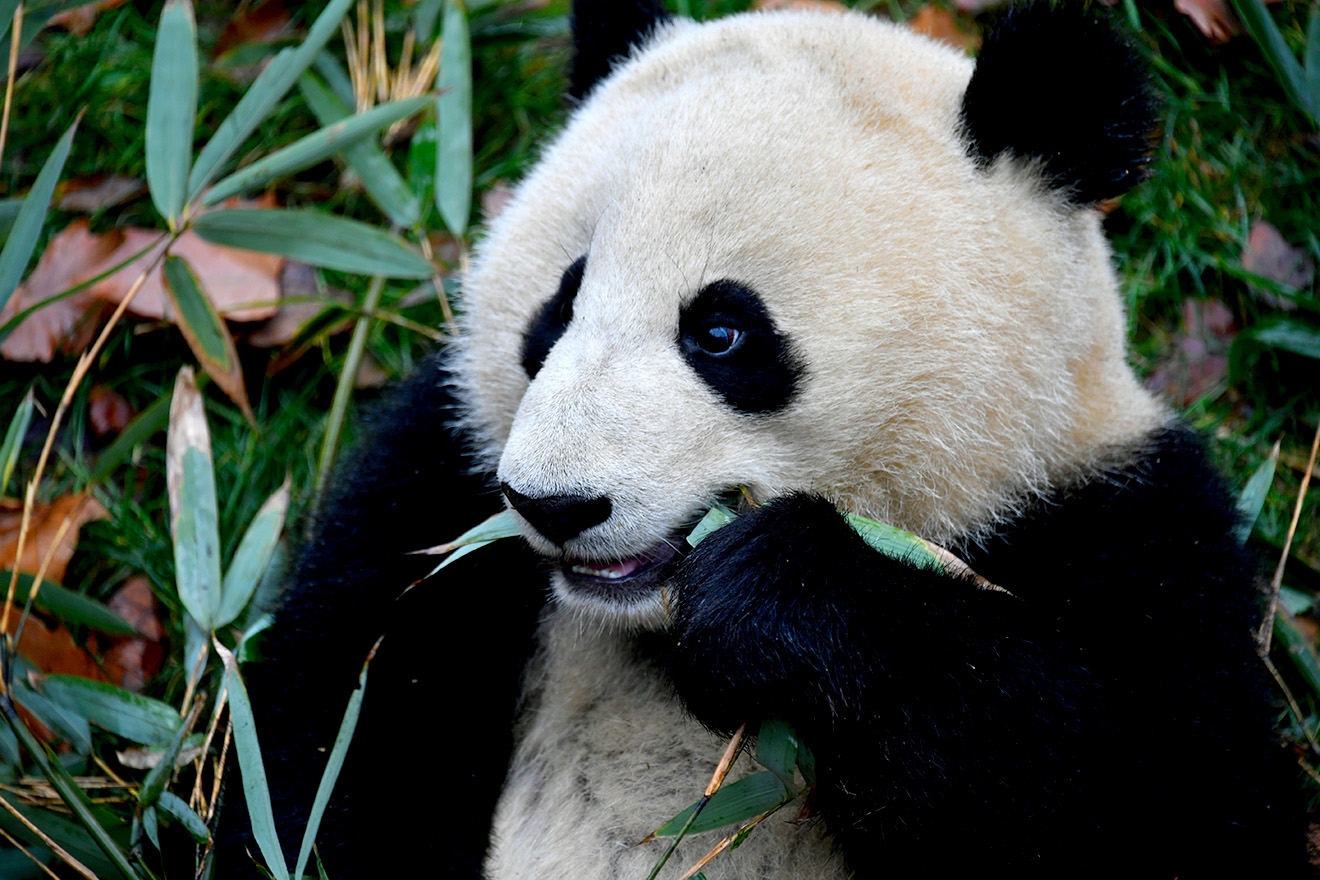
[605, 757]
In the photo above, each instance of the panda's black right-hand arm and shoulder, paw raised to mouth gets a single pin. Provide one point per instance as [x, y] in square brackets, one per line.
[1111, 718]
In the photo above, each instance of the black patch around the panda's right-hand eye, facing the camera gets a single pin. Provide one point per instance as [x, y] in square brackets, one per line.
[728, 337]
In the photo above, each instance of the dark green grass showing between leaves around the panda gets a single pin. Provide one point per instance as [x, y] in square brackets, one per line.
[1234, 151]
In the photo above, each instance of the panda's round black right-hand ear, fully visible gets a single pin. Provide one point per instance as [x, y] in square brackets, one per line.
[1058, 85]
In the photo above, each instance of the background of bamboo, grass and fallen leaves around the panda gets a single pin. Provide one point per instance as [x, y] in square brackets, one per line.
[1218, 251]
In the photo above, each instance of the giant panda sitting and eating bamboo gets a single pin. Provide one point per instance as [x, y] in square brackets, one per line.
[831, 263]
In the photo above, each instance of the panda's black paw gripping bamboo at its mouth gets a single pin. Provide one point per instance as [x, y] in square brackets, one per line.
[779, 615]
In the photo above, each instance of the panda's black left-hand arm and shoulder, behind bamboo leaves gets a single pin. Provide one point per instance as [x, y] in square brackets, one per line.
[436, 725]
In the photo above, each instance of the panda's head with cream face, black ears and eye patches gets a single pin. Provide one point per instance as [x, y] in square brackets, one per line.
[805, 253]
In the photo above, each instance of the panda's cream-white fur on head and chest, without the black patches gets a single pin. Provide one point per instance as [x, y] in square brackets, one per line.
[962, 333]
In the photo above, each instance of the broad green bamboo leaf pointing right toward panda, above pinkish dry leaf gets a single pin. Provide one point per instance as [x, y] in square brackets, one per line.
[316, 238]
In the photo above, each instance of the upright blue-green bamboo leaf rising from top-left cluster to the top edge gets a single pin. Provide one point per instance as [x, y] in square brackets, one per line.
[172, 110]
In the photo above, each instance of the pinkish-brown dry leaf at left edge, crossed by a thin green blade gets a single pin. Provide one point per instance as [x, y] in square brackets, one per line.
[65, 325]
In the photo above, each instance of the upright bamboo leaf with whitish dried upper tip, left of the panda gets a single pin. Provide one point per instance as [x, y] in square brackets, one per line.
[191, 484]
